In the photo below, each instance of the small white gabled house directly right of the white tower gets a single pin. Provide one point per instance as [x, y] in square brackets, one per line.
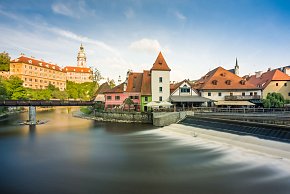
[183, 95]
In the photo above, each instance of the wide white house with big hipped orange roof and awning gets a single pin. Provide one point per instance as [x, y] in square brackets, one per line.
[221, 85]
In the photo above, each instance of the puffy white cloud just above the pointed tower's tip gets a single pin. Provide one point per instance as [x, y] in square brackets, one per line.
[148, 45]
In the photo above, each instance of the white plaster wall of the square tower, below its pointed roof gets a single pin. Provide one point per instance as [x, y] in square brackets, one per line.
[165, 85]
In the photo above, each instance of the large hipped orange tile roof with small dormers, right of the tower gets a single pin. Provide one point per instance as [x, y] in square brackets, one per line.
[221, 79]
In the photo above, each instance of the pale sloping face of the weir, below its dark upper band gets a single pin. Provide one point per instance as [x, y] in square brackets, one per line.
[273, 149]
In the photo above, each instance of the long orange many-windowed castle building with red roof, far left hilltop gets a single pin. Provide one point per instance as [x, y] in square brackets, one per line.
[37, 74]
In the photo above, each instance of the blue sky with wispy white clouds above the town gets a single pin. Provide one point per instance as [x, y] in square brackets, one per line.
[195, 36]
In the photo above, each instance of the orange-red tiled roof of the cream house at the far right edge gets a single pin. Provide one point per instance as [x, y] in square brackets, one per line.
[267, 77]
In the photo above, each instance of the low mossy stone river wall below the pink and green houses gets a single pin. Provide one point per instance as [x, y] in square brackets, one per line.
[134, 117]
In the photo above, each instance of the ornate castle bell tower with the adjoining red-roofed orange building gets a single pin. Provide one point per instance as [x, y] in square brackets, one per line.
[81, 73]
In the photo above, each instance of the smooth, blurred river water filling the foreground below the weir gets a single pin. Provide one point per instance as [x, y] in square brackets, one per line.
[70, 155]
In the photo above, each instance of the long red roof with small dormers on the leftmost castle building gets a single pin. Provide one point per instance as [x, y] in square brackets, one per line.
[36, 62]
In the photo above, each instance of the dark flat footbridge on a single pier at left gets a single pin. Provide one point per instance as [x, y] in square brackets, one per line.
[33, 103]
